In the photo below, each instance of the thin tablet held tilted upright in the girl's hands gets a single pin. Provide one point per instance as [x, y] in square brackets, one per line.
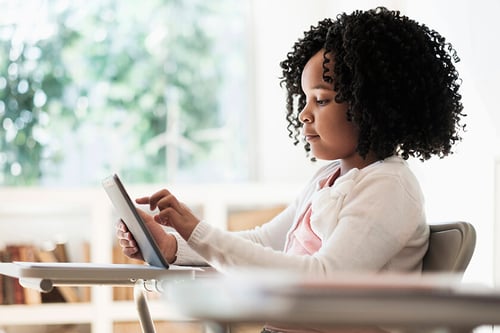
[128, 213]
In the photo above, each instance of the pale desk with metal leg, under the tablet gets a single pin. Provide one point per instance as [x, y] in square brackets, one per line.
[45, 276]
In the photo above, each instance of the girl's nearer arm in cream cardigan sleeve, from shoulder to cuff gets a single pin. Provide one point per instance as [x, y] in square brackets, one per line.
[377, 224]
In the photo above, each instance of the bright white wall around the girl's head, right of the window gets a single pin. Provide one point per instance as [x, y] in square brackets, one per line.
[460, 187]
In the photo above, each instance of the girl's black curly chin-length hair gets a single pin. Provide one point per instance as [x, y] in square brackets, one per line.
[396, 75]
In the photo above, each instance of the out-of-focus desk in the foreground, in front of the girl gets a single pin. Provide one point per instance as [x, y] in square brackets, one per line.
[415, 305]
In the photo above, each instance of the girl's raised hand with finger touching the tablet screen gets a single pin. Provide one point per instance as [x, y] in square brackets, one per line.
[172, 213]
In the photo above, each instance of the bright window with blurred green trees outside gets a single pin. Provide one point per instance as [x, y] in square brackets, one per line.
[155, 90]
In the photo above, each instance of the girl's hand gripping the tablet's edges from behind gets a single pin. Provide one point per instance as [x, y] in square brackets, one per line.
[166, 242]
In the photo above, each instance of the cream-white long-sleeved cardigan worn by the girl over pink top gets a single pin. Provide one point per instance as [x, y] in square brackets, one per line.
[371, 219]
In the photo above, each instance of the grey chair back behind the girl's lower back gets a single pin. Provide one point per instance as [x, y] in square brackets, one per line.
[451, 246]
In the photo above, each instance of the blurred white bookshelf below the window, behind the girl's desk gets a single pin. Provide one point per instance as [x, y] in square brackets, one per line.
[83, 219]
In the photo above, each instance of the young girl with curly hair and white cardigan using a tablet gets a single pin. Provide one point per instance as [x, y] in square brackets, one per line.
[366, 91]
